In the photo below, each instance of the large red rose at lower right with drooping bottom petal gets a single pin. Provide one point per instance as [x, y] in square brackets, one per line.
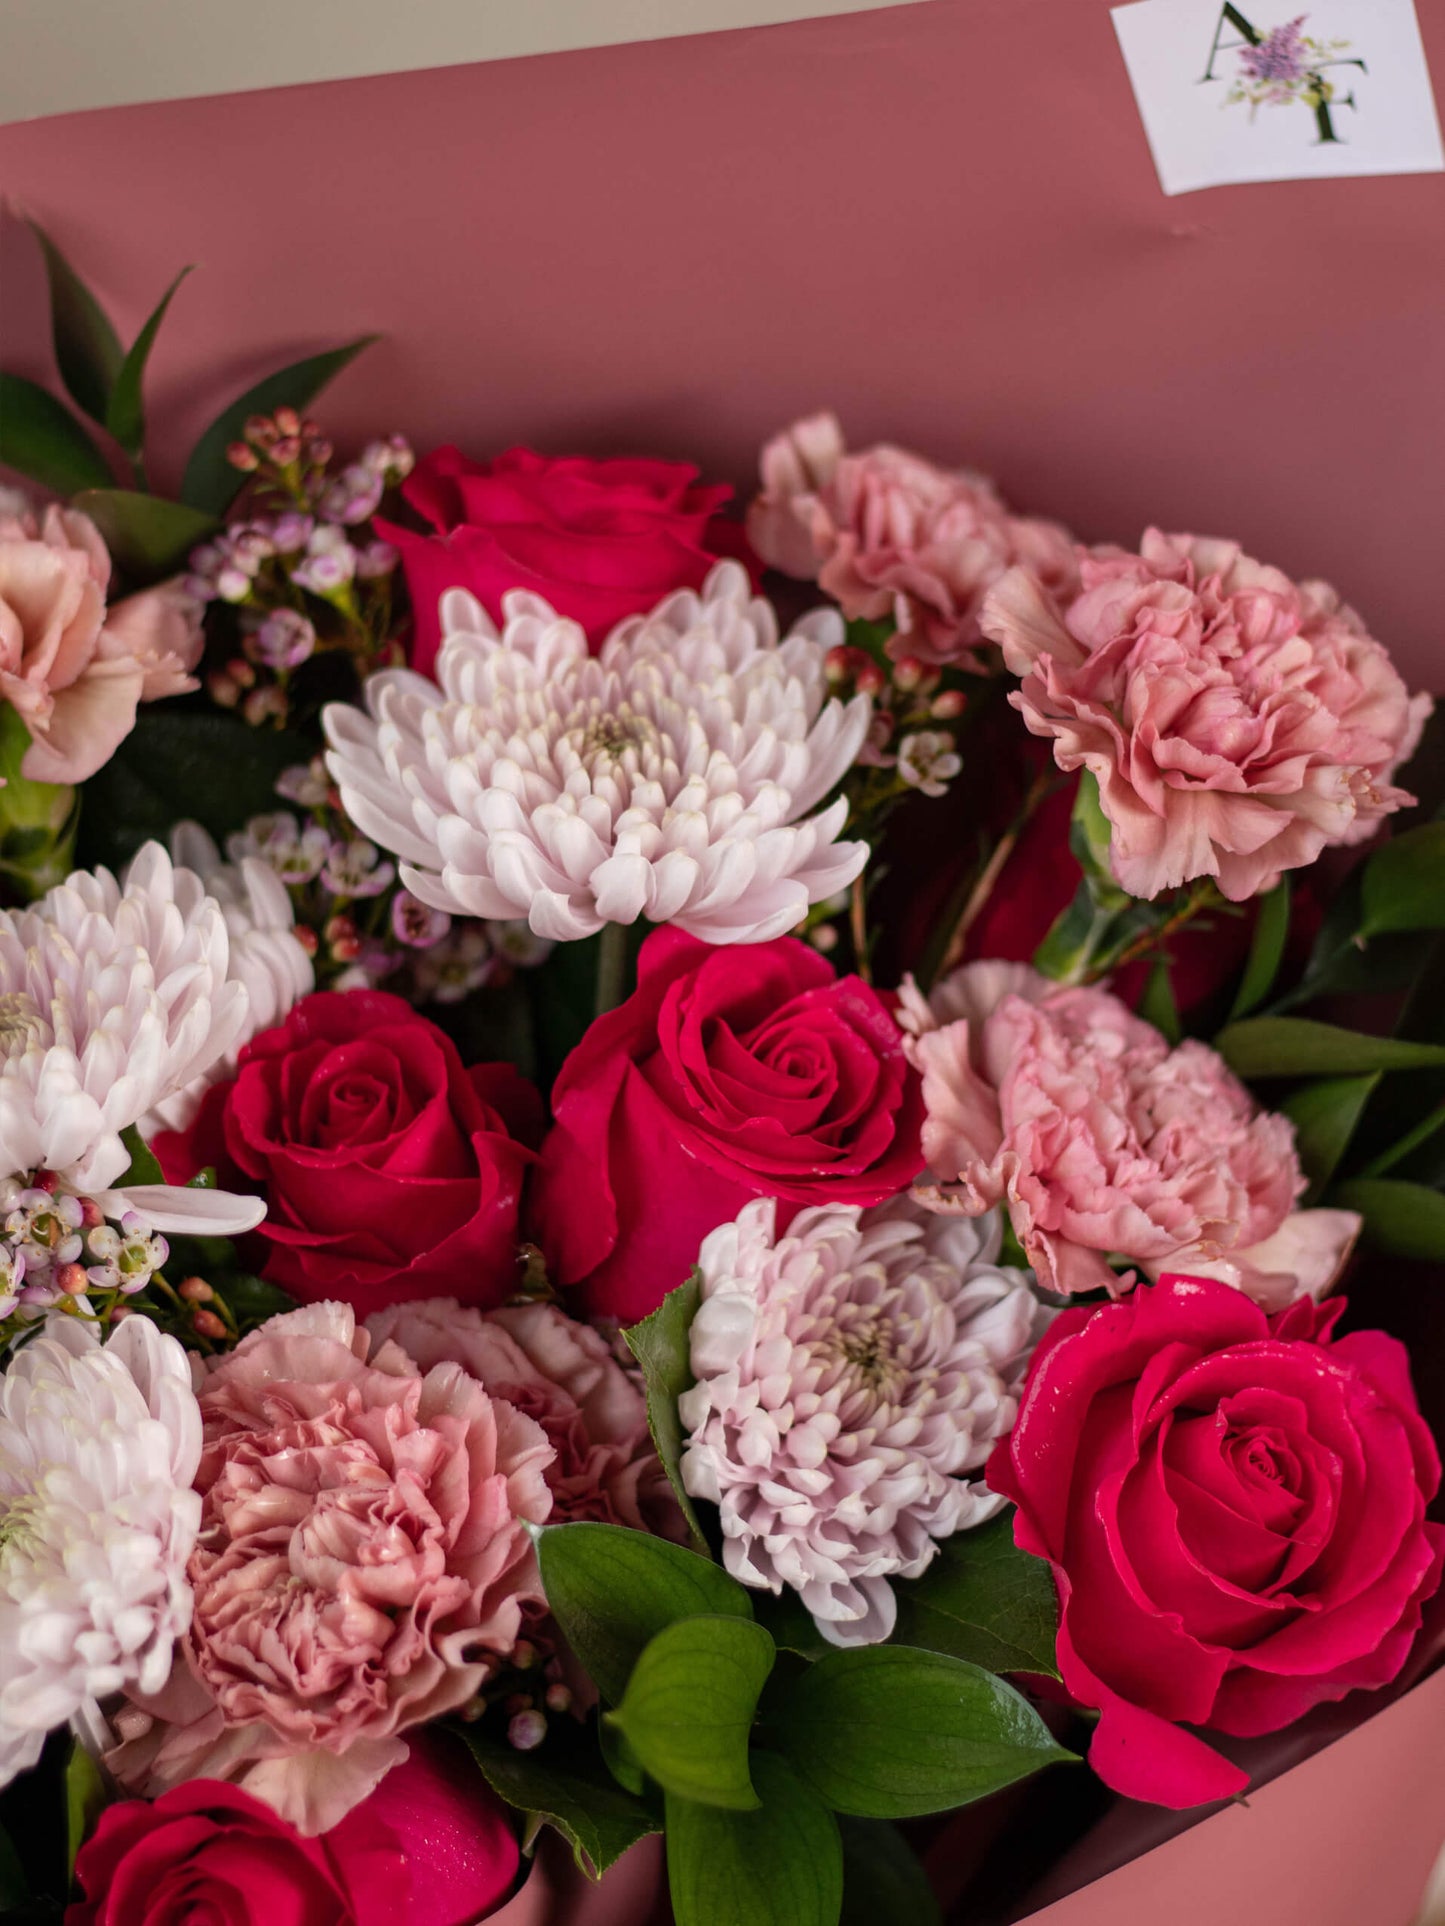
[1234, 1509]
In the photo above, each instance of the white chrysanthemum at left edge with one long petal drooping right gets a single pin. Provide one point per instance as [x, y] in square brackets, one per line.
[113, 999]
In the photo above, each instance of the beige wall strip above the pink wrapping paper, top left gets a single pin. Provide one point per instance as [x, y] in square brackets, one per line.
[65, 55]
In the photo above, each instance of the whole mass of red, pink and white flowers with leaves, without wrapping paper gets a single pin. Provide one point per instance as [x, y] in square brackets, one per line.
[679, 1174]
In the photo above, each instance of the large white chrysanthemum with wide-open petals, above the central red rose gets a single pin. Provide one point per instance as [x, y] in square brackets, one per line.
[668, 779]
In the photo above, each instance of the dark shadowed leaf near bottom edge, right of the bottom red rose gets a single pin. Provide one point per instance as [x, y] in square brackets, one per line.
[565, 1783]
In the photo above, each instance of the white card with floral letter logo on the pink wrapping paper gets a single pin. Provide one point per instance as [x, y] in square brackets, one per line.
[1255, 93]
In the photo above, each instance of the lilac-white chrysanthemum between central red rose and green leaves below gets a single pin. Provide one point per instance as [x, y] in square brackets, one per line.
[851, 1376]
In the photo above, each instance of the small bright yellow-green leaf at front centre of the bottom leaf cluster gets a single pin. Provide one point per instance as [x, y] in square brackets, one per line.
[691, 1707]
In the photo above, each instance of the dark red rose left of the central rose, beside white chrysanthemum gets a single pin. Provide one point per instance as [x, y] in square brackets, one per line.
[388, 1170]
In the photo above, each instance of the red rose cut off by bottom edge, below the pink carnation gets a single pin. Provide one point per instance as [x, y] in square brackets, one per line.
[431, 1846]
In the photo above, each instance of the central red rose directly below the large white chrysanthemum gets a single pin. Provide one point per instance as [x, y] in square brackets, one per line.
[731, 1074]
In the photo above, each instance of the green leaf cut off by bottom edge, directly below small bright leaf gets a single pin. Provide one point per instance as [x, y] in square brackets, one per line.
[775, 1867]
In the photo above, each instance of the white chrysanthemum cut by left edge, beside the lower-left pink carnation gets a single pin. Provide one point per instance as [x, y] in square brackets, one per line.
[99, 1447]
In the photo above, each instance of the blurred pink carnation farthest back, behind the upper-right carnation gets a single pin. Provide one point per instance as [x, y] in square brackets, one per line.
[887, 534]
